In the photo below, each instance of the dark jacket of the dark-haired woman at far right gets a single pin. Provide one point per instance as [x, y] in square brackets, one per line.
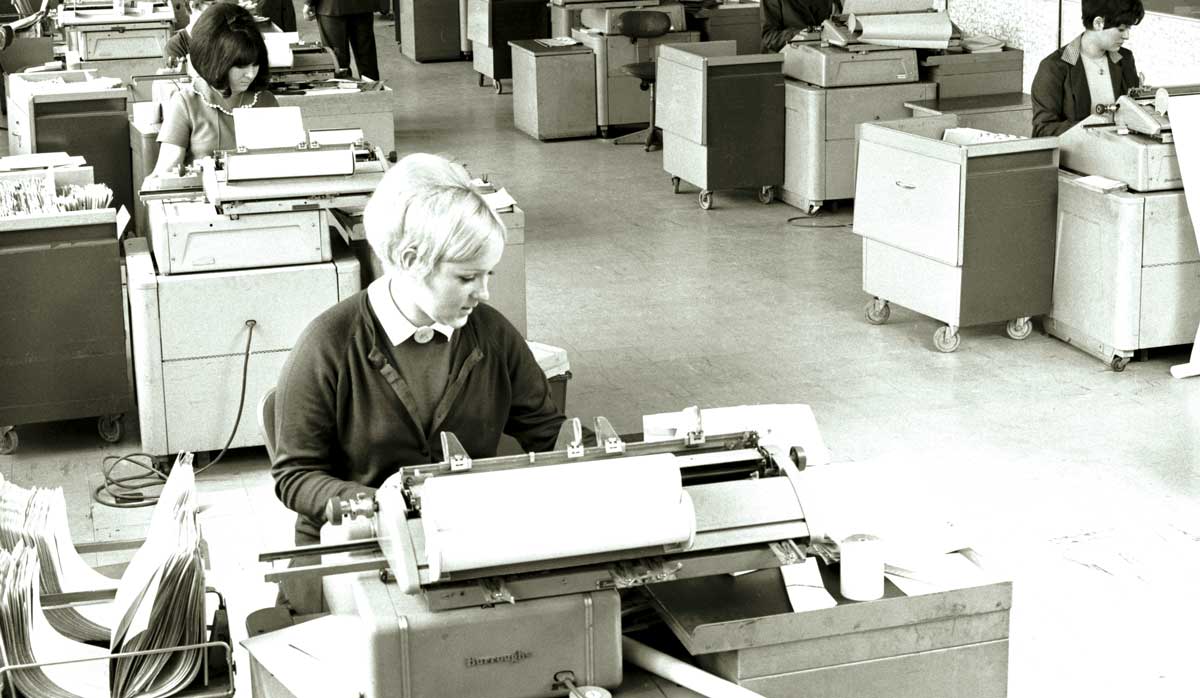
[1060, 94]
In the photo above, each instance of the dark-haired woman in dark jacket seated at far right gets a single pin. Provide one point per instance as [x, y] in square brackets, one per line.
[1093, 70]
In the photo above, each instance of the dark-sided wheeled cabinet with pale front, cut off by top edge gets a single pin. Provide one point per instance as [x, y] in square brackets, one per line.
[493, 25]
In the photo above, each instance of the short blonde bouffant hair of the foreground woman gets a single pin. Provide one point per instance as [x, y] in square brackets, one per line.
[428, 204]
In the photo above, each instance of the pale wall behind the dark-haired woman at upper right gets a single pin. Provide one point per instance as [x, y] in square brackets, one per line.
[1167, 47]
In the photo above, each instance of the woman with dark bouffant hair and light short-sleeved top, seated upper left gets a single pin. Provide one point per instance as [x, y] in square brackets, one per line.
[230, 58]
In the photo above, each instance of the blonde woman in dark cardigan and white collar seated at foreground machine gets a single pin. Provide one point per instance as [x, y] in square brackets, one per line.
[374, 381]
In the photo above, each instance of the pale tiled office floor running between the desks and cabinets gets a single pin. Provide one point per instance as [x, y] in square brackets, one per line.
[1085, 483]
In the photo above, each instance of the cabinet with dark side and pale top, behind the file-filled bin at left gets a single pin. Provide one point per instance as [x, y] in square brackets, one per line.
[75, 118]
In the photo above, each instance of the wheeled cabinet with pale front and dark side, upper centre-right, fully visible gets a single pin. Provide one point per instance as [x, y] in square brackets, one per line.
[722, 117]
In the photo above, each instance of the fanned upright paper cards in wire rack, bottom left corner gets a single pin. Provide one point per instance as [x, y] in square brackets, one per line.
[159, 605]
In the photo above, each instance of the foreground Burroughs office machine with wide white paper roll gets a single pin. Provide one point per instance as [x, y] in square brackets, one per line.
[500, 577]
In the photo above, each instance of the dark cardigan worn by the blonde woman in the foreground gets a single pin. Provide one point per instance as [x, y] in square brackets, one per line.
[341, 419]
